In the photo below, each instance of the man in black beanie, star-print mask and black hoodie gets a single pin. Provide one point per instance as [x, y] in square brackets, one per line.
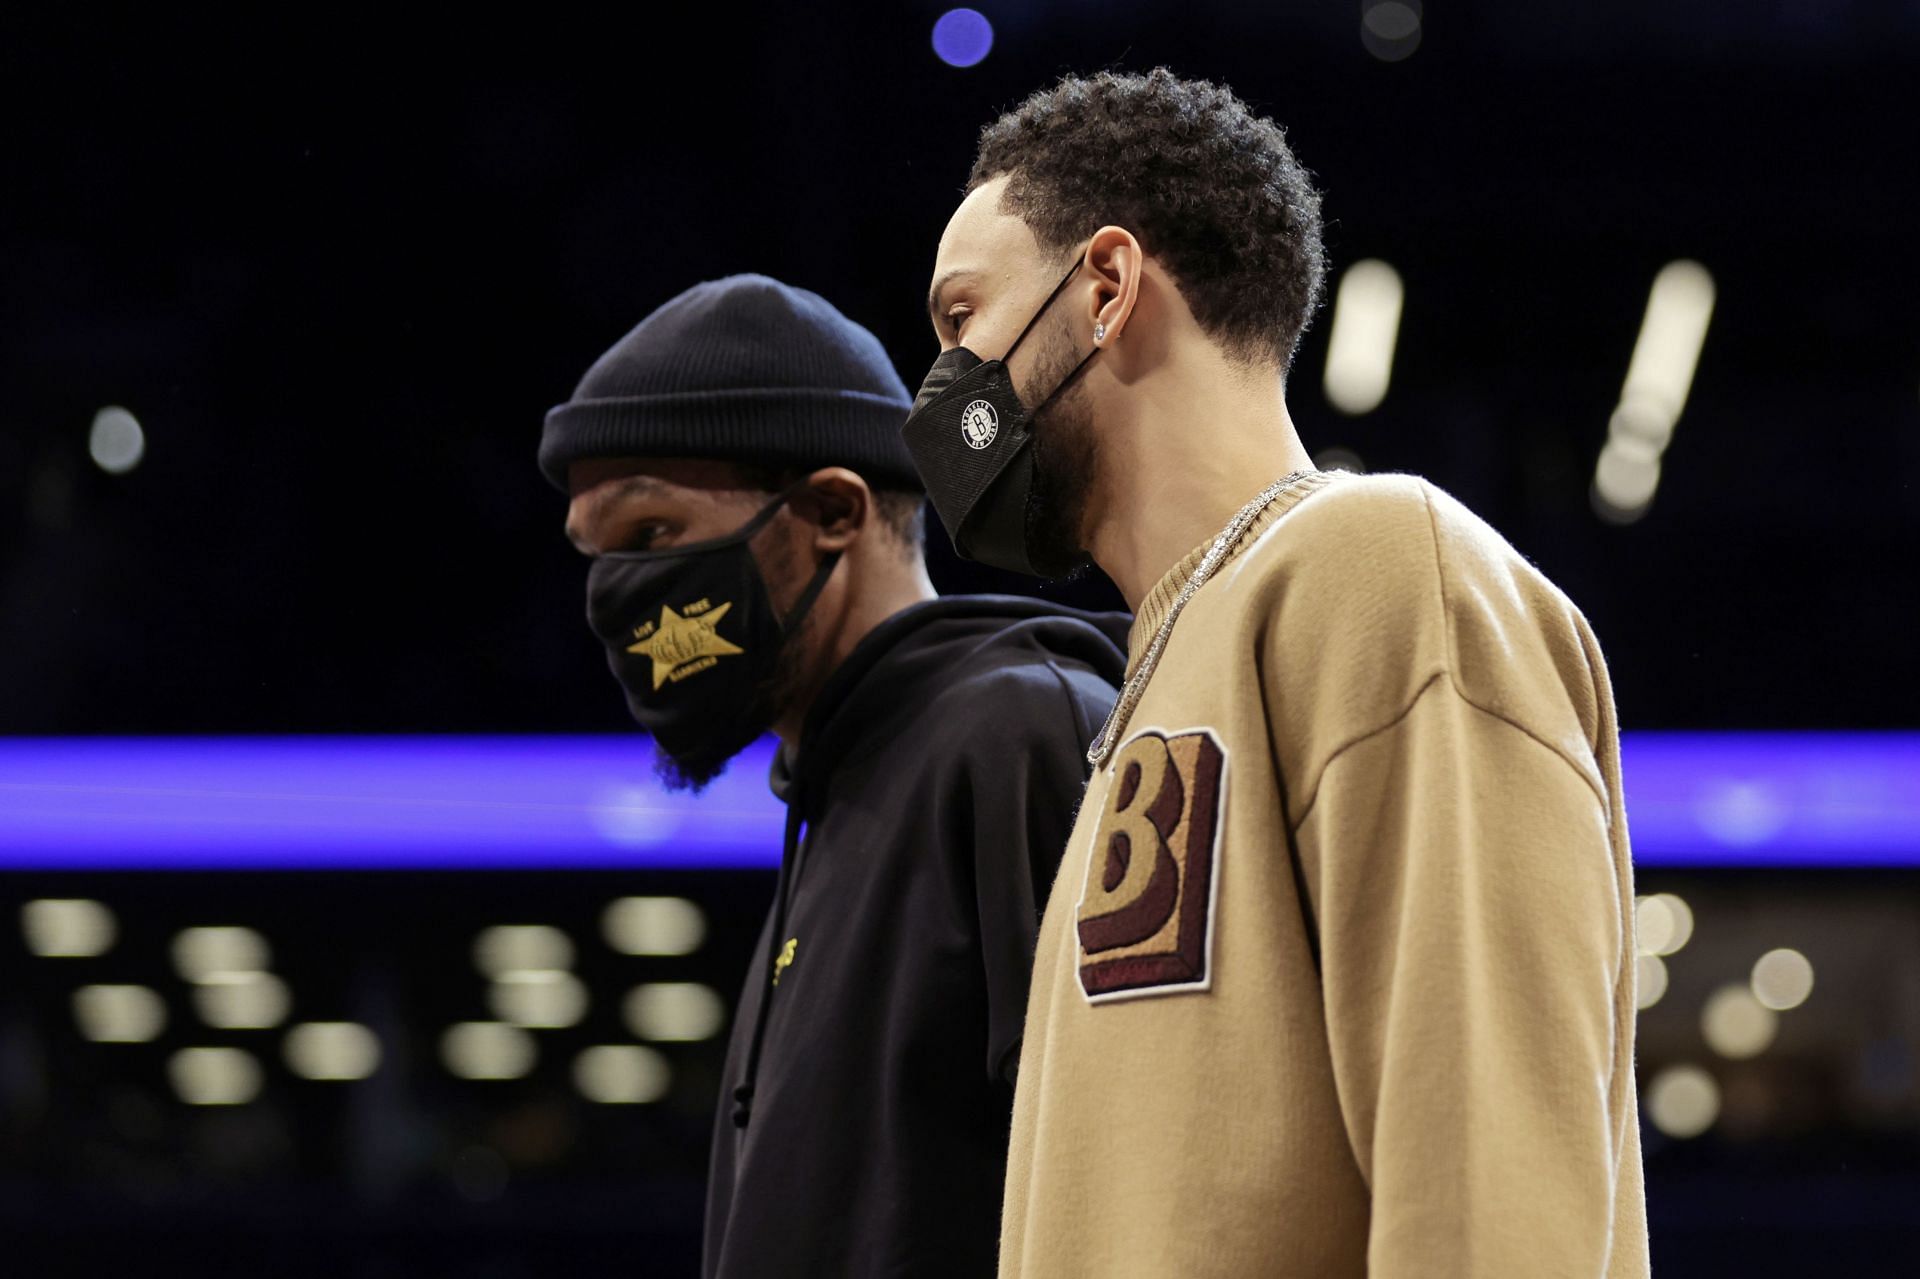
[736, 475]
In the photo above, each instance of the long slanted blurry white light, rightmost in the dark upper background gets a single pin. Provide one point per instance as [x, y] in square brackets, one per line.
[1658, 383]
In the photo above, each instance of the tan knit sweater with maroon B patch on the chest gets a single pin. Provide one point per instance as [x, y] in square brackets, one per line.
[1339, 977]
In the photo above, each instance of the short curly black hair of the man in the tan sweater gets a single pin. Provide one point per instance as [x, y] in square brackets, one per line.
[1211, 189]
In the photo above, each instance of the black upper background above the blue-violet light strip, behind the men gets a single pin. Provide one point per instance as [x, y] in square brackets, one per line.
[341, 268]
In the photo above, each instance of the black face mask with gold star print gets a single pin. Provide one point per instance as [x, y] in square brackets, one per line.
[694, 640]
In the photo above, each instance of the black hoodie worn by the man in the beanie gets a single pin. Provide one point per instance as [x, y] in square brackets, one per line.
[871, 1076]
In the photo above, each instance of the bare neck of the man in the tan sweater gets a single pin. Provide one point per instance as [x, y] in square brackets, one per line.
[1172, 477]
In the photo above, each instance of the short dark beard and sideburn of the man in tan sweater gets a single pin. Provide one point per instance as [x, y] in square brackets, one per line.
[1063, 462]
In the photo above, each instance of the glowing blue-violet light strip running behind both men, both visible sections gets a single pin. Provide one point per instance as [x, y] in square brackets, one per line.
[473, 804]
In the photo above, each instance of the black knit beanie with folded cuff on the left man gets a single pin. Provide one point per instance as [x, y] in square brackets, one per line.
[742, 370]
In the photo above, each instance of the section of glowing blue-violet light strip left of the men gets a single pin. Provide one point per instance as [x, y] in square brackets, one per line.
[281, 804]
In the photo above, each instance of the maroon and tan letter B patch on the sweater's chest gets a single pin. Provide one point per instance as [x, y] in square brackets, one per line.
[1145, 917]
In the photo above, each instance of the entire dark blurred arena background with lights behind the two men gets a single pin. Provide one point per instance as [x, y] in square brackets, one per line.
[343, 925]
